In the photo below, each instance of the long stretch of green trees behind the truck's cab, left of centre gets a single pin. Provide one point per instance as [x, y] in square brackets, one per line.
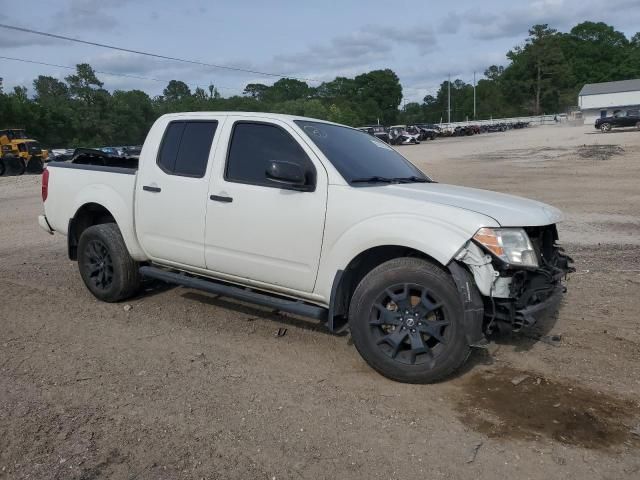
[80, 113]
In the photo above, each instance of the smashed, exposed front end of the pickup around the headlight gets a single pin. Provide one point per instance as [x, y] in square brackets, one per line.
[516, 297]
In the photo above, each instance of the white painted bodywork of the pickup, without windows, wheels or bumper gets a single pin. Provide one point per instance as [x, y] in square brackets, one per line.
[286, 241]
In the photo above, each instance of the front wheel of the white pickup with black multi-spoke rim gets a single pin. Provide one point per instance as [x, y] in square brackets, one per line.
[406, 321]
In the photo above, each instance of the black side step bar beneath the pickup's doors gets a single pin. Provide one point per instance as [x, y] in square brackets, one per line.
[296, 307]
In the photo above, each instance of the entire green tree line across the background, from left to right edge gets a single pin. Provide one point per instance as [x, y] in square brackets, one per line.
[544, 74]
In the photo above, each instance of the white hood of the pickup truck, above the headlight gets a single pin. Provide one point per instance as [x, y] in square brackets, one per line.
[507, 210]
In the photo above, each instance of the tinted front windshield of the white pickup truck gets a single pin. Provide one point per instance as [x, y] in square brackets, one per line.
[360, 157]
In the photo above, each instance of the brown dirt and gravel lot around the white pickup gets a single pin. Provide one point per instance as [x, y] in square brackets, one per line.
[186, 385]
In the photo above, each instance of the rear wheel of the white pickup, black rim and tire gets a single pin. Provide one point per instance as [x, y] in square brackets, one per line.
[105, 265]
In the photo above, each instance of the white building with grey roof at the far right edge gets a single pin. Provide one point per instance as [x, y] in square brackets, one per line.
[604, 99]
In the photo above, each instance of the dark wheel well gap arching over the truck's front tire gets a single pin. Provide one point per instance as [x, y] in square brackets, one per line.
[353, 274]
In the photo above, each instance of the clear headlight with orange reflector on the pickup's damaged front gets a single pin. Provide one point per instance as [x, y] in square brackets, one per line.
[511, 245]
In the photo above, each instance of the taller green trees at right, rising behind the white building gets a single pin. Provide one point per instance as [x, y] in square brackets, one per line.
[545, 74]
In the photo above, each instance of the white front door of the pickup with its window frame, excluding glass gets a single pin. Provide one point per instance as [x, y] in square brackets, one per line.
[266, 234]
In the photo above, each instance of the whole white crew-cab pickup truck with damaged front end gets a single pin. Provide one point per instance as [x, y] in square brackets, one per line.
[315, 219]
